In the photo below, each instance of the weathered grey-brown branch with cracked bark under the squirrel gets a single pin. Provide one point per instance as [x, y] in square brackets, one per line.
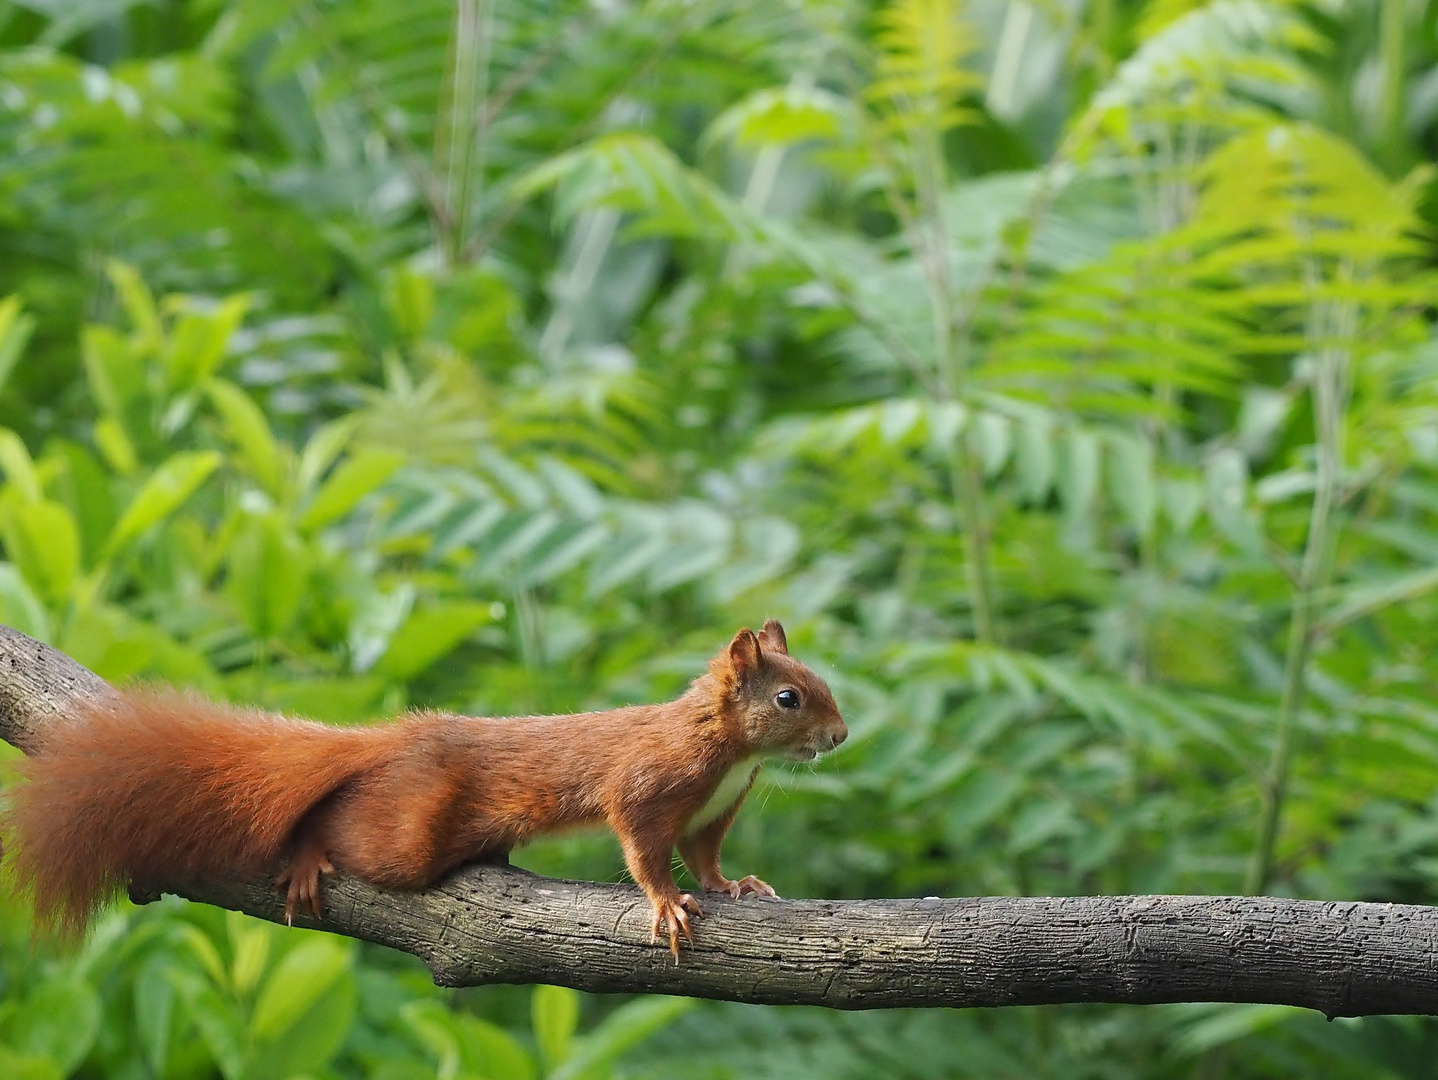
[493, 924]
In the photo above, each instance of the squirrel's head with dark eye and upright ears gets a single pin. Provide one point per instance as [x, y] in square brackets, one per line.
[779, 704]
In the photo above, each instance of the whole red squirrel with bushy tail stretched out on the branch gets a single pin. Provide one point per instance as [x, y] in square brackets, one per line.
[163, 789]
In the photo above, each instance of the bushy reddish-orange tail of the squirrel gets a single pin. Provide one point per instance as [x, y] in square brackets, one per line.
[163, 789]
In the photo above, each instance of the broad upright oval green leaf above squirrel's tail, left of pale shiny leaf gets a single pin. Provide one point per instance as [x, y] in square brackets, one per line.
[267, 569]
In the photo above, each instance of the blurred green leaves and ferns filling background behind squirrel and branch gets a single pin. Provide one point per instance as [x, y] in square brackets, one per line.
[1061, 372]
